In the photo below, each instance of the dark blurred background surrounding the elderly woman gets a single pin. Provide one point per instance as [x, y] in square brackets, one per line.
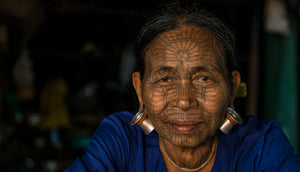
[66, 64]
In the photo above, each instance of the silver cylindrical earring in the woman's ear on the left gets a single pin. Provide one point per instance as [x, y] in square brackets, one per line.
[141, 119]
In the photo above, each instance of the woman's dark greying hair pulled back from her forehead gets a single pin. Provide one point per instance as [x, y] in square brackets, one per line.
[173, 16]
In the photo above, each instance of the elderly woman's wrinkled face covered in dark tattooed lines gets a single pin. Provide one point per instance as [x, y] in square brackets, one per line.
[185, 89]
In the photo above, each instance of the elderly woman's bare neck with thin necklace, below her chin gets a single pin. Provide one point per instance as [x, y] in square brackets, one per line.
[188, 159]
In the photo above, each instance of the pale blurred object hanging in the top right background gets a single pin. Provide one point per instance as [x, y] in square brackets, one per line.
[276, 17]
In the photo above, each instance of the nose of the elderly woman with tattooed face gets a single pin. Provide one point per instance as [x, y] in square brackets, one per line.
[185, 99]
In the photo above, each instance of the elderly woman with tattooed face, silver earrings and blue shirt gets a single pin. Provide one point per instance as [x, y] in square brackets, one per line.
[186, 84]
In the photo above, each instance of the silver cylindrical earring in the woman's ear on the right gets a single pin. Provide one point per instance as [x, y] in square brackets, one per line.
[232, 119]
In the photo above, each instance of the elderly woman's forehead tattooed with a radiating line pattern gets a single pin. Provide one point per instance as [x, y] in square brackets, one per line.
[187, 44]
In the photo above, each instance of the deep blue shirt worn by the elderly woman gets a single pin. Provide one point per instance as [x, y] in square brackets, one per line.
[118, 146]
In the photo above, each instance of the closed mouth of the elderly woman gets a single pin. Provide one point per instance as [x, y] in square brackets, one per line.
[184, 127]
